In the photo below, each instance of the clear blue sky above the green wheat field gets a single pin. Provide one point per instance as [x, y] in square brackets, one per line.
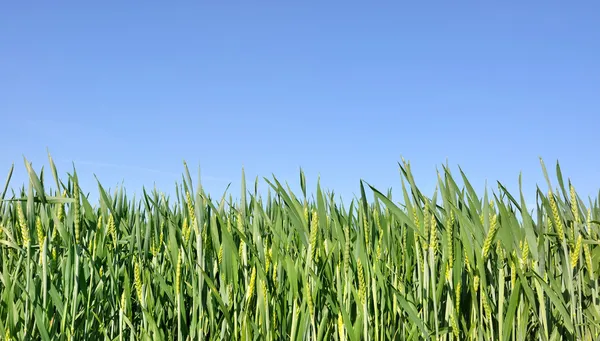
[344, 89]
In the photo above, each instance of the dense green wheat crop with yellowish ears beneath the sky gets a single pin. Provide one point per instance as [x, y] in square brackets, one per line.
[453, 266]
